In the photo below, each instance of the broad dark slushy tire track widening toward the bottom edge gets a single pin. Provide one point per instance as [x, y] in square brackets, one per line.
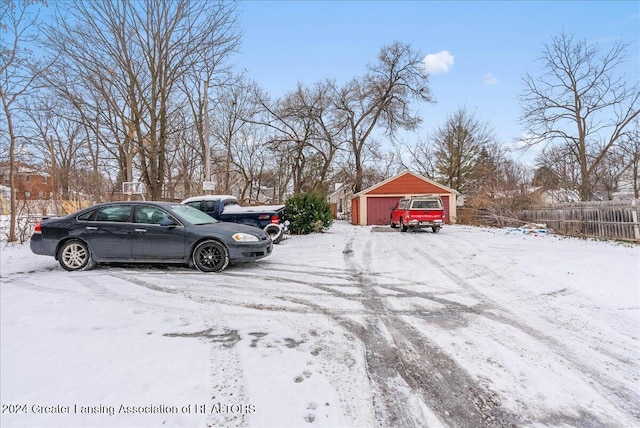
[397, 355]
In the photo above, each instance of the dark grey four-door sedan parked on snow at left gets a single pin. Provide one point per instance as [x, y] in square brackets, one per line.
[147, 232]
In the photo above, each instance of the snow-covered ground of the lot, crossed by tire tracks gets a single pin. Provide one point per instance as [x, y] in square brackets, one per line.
[356, 327]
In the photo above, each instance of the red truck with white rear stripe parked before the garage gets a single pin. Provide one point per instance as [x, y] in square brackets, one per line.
[418, 212]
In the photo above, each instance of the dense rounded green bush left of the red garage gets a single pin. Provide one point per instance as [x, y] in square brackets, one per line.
[308, 213]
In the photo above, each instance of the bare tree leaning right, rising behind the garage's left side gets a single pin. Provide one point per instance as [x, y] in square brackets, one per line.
[382, 99]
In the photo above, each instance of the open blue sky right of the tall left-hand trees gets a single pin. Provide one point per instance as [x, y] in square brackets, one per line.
[491, 45]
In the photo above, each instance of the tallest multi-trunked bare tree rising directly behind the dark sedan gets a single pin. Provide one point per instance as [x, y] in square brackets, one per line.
[134, 55]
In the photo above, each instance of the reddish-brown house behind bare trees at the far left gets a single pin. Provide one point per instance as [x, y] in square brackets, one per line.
[31, 182]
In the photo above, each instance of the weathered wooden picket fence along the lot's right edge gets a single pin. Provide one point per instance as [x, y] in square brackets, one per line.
[607, 219]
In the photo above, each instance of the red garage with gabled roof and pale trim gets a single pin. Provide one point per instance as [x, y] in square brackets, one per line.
[373, 205]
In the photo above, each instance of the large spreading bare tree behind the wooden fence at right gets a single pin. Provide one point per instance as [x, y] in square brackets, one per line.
[580, 102]
